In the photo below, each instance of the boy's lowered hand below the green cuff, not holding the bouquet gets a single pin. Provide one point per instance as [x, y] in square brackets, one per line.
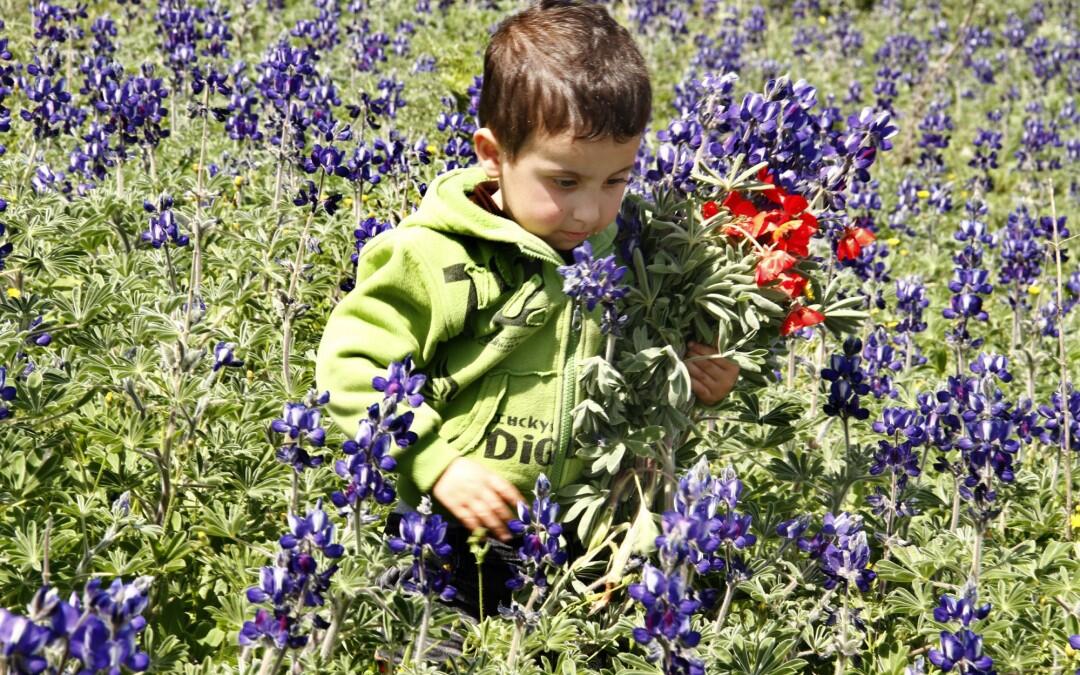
[478, 497]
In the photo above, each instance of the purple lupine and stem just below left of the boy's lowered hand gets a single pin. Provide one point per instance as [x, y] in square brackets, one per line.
[423, 535]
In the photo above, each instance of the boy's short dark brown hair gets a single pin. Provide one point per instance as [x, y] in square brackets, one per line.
[561, 66]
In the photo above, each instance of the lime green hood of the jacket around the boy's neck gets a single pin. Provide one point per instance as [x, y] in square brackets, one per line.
[447, 208]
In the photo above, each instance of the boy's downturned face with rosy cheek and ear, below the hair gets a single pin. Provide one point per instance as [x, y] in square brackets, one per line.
[559, 188]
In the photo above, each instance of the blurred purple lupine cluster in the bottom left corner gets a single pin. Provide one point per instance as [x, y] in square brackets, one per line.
[98, 630]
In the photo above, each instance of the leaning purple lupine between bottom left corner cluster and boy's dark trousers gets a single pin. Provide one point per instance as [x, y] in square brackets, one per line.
[293, 585]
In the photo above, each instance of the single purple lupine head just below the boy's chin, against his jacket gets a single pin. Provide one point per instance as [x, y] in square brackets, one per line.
[596, 281]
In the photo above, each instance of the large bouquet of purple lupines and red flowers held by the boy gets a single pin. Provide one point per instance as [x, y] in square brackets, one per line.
[733, 239]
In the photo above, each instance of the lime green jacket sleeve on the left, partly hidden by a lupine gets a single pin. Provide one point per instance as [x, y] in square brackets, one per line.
[395, 310]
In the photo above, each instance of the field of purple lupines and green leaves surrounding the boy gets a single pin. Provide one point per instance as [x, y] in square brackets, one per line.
[869, 207]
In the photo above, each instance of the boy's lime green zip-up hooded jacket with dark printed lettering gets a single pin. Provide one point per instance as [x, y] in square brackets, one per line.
[479, 304]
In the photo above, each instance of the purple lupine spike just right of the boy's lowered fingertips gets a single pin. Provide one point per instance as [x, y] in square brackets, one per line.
[541, 548]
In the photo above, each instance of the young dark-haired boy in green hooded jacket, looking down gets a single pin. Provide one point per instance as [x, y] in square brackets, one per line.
[468, 285]
